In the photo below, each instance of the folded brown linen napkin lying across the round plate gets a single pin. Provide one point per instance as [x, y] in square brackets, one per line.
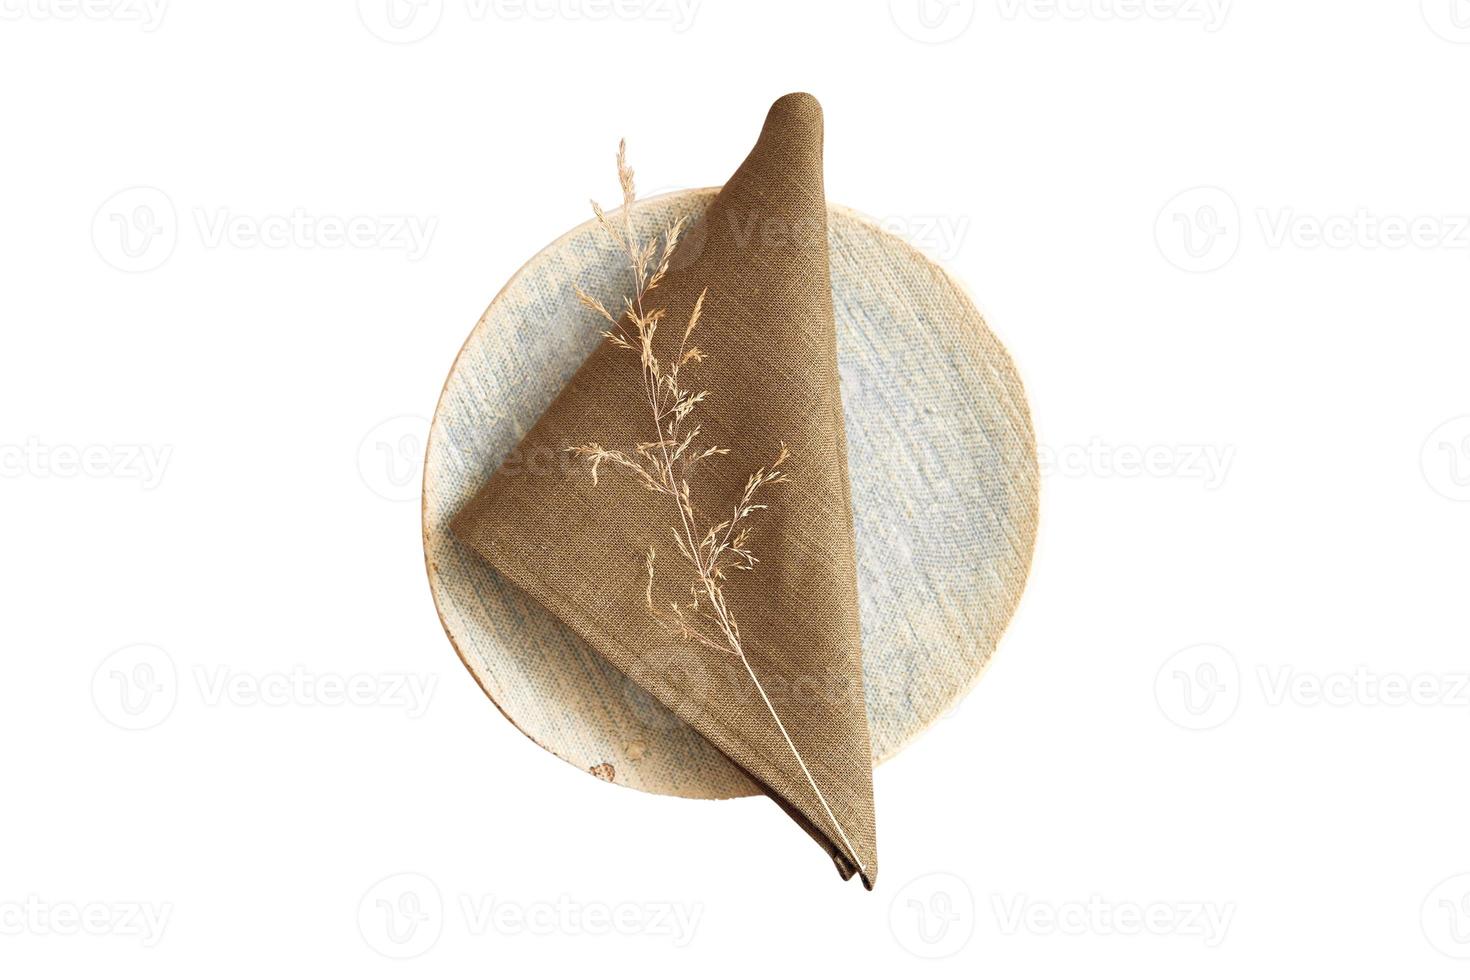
[771, 371]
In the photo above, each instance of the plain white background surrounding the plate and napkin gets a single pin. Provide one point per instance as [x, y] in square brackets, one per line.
[1233, 706]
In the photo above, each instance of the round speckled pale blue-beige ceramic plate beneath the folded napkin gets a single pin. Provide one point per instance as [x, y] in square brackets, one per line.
[943, 466]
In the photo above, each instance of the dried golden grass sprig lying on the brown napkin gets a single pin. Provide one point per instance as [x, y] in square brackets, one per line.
[670, 462]
